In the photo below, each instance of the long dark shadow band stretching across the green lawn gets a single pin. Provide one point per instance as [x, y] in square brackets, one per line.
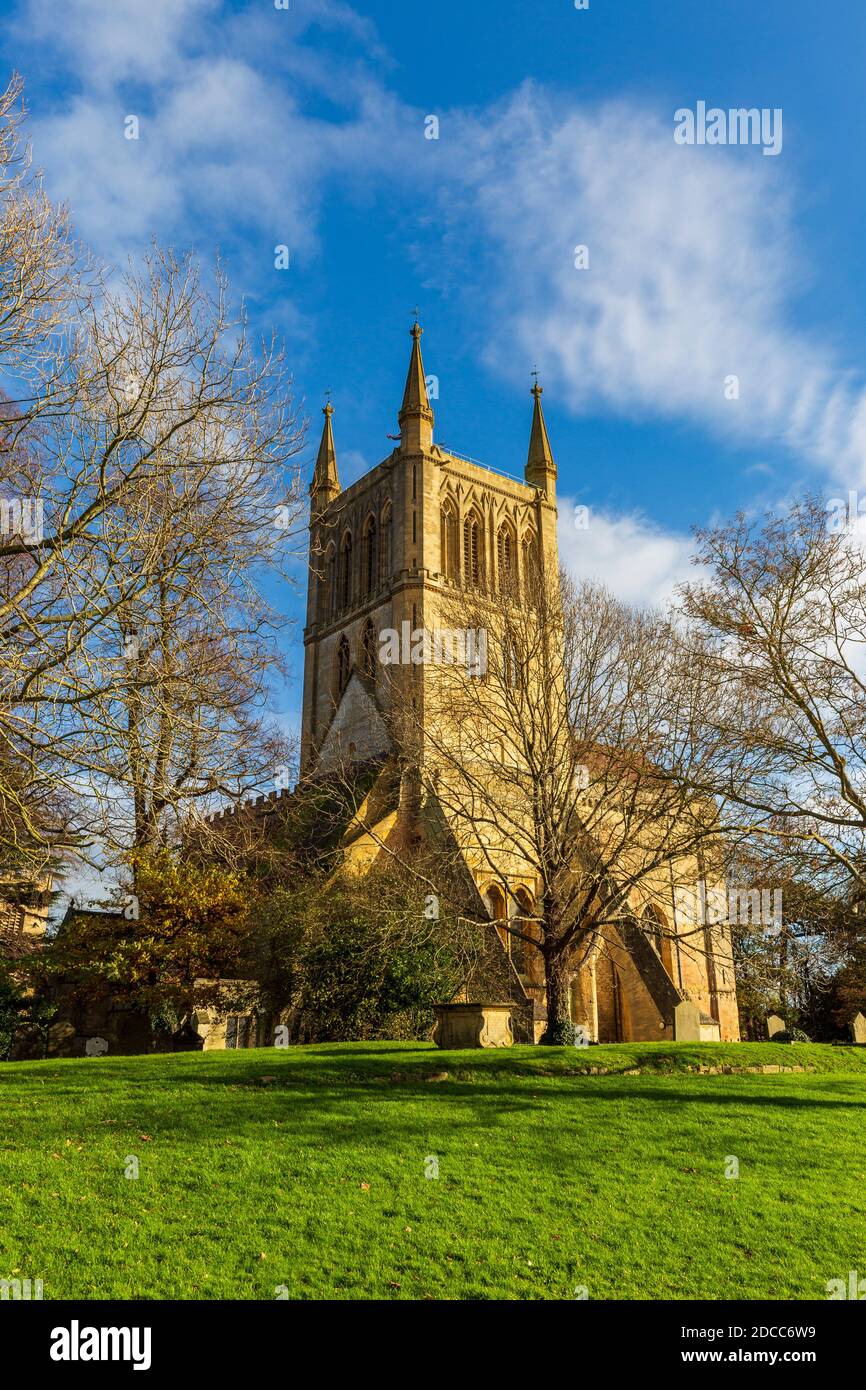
[359, 1114]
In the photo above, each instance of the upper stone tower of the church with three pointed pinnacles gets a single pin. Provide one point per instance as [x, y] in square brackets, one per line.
[391, 548]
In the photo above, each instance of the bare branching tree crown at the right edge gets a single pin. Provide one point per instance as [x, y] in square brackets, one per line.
[782, 618]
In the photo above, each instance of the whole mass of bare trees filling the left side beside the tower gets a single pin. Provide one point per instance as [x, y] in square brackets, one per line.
[148, 462]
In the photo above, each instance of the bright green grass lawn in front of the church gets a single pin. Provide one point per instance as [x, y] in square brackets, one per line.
[547, 1179]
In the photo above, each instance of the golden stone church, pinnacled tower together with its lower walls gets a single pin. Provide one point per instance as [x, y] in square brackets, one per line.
[389, 554]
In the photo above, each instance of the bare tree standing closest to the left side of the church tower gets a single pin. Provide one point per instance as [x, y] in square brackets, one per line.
[149, 639]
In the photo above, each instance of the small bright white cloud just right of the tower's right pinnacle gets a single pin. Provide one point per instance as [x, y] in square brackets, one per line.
[628, 554]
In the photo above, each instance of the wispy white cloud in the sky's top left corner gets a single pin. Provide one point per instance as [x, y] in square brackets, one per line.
[226, 145]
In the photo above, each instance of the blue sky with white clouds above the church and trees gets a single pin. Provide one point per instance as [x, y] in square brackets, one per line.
[307, 127]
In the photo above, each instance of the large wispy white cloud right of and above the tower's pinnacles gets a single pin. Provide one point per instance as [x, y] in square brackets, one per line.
[693, 273]
